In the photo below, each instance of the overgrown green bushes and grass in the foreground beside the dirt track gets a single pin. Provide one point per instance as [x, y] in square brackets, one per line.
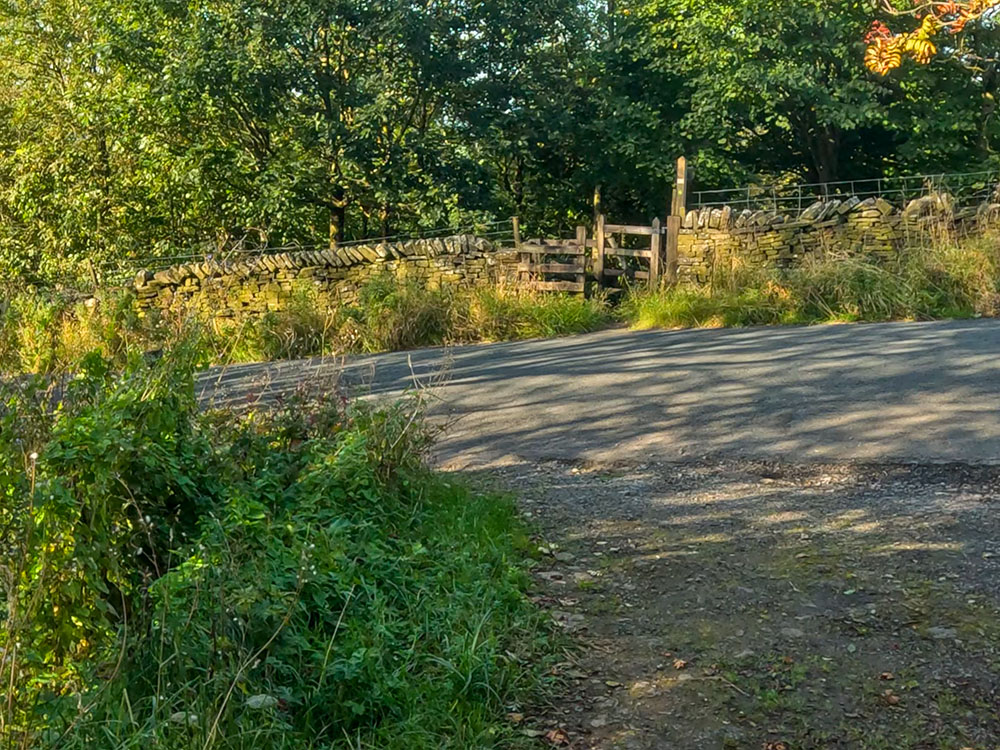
[287, 579]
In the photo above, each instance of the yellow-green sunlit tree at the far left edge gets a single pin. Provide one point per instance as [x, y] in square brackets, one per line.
[72, 181]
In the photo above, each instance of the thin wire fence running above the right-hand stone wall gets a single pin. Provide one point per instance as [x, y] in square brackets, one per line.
[964, 188]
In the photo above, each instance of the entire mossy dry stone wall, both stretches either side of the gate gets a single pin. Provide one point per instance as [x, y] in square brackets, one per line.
[708, 237]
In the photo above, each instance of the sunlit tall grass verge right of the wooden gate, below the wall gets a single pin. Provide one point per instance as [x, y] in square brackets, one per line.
[941, 280]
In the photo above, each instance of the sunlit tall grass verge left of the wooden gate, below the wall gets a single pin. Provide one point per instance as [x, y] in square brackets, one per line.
[45, 332]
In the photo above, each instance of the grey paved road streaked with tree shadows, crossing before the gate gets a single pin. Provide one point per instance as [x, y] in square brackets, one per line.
[902, 391]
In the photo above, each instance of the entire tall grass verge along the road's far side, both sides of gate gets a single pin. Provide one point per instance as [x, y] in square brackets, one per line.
[46, 332]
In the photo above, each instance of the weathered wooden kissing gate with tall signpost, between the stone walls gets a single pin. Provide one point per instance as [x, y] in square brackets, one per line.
[557, 265]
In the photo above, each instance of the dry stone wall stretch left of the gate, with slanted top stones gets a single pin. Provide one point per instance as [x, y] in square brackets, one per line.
[261, 283]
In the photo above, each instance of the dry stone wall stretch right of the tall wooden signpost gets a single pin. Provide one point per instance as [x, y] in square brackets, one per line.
[872, 226]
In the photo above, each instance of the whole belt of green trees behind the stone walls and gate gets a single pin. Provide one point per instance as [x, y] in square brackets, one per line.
[132, 128]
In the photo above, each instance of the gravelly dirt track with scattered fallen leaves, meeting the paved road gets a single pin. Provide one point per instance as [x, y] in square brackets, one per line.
[762, 605]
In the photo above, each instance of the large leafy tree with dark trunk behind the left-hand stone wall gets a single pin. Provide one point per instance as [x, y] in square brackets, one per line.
[353, 115]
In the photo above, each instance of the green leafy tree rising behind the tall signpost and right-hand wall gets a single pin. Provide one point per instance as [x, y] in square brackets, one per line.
[772, 86]
